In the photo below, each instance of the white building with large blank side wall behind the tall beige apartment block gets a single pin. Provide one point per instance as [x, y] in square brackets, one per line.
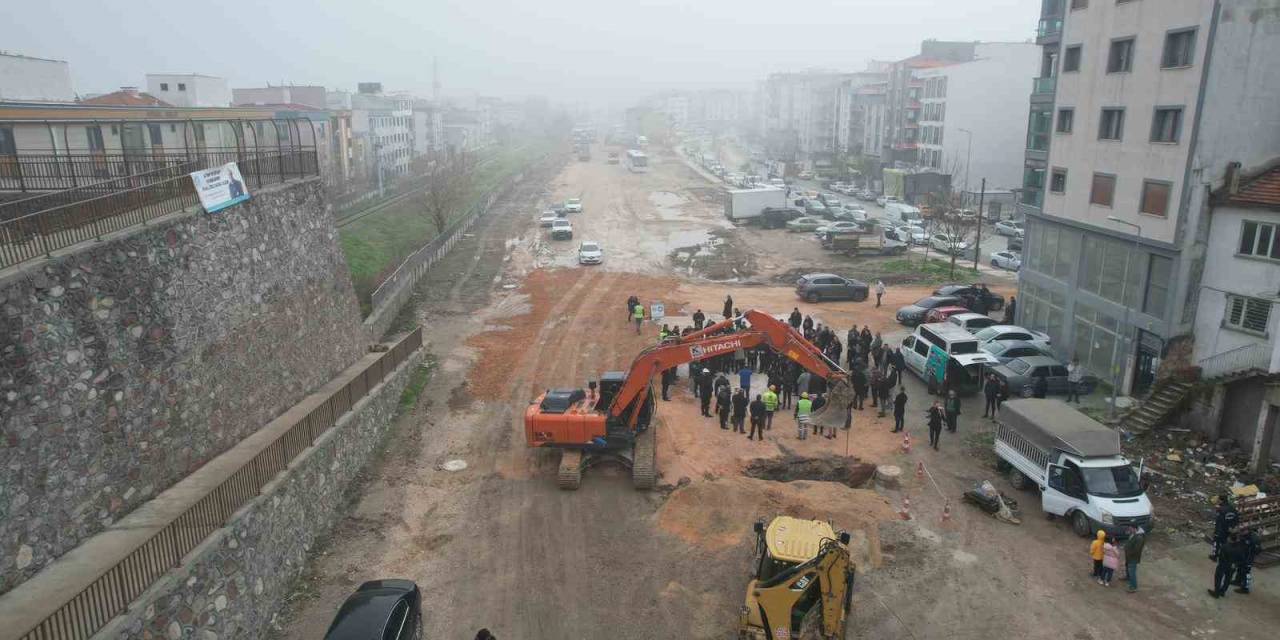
[972, 120]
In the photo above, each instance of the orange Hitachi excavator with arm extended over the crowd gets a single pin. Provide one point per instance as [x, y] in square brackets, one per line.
[614, 422]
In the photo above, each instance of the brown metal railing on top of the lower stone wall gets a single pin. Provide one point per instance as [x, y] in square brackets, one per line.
[109, 595]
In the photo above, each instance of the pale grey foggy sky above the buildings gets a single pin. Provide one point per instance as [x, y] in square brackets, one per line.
[569, 51]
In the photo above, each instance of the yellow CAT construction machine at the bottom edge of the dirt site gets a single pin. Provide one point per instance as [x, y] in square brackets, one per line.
[803, 583]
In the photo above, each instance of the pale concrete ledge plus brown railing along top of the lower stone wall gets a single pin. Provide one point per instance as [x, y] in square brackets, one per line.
[79, 595]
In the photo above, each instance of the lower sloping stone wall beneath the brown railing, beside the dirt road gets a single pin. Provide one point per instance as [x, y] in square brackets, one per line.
[232, 586]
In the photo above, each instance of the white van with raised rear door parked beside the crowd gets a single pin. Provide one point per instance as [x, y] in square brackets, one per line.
[944, 354]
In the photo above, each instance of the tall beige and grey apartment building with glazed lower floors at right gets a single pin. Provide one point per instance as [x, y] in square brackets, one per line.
[1137, 115]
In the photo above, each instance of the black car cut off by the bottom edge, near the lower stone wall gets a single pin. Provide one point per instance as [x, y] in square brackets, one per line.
[381, 610]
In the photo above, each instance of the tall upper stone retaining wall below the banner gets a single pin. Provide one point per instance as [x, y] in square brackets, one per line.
[130, 363]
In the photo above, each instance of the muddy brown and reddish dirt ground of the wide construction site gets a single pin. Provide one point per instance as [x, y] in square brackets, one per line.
[510, 314]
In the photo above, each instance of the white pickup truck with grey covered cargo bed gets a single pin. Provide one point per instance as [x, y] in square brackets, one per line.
[1076, 463]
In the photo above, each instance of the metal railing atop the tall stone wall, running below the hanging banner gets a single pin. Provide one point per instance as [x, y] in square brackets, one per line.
[39, 226]
